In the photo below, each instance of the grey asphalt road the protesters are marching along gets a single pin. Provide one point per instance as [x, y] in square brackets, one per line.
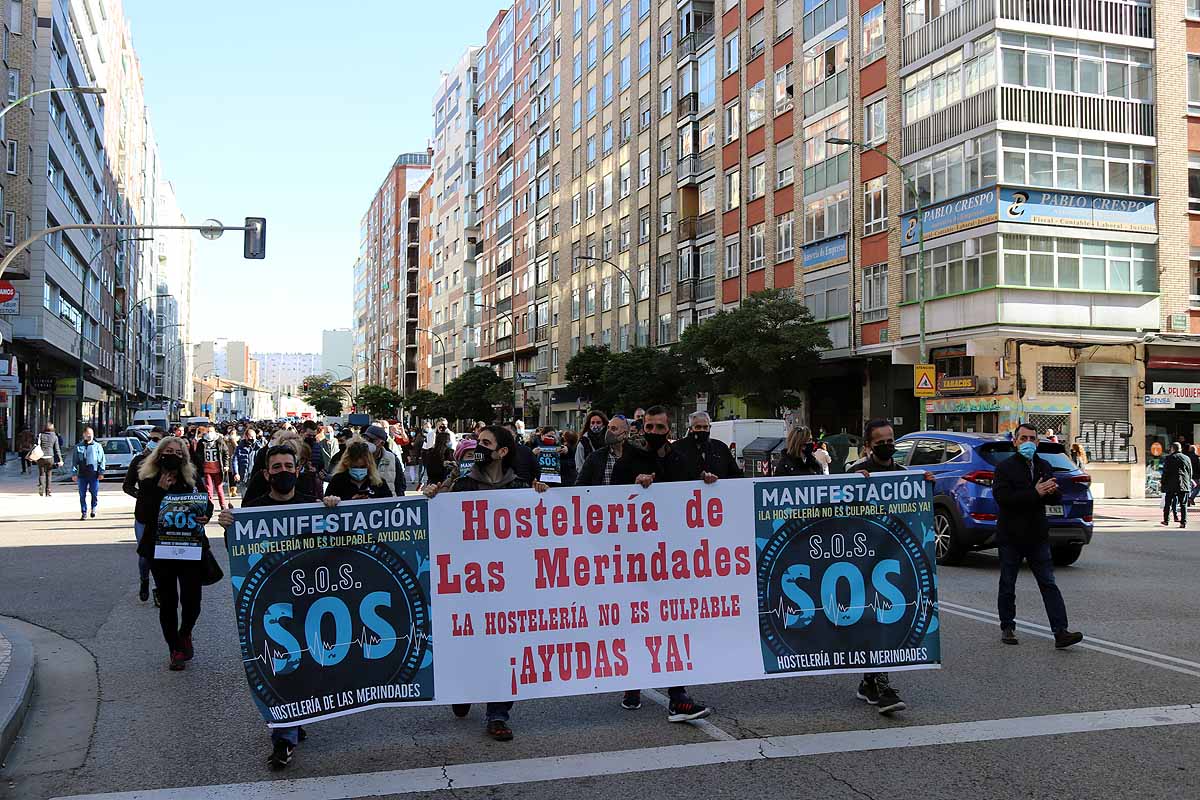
[994, 723]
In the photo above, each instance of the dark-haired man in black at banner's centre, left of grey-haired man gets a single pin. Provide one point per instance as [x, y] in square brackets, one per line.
[659, 464]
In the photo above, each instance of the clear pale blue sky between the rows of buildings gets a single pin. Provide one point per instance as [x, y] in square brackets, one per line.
[295, 111]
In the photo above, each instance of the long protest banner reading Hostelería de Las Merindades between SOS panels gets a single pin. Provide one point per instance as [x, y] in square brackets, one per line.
[515, 596]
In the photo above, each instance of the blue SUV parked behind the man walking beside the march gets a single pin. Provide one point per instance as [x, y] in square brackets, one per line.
[964, 509]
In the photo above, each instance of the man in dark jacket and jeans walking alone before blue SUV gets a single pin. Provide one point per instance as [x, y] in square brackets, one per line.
[1023, 488]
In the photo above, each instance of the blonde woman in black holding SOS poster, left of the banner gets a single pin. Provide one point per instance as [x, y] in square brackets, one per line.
[165, 472]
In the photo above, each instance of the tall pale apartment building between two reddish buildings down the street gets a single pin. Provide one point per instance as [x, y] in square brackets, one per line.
[448, 333]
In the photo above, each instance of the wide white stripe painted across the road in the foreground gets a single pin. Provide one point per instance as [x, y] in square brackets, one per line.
[647, 760]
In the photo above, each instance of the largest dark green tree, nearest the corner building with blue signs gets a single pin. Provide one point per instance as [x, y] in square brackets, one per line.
[764, 351]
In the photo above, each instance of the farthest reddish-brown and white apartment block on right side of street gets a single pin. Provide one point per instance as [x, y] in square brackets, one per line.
[386, 279]
